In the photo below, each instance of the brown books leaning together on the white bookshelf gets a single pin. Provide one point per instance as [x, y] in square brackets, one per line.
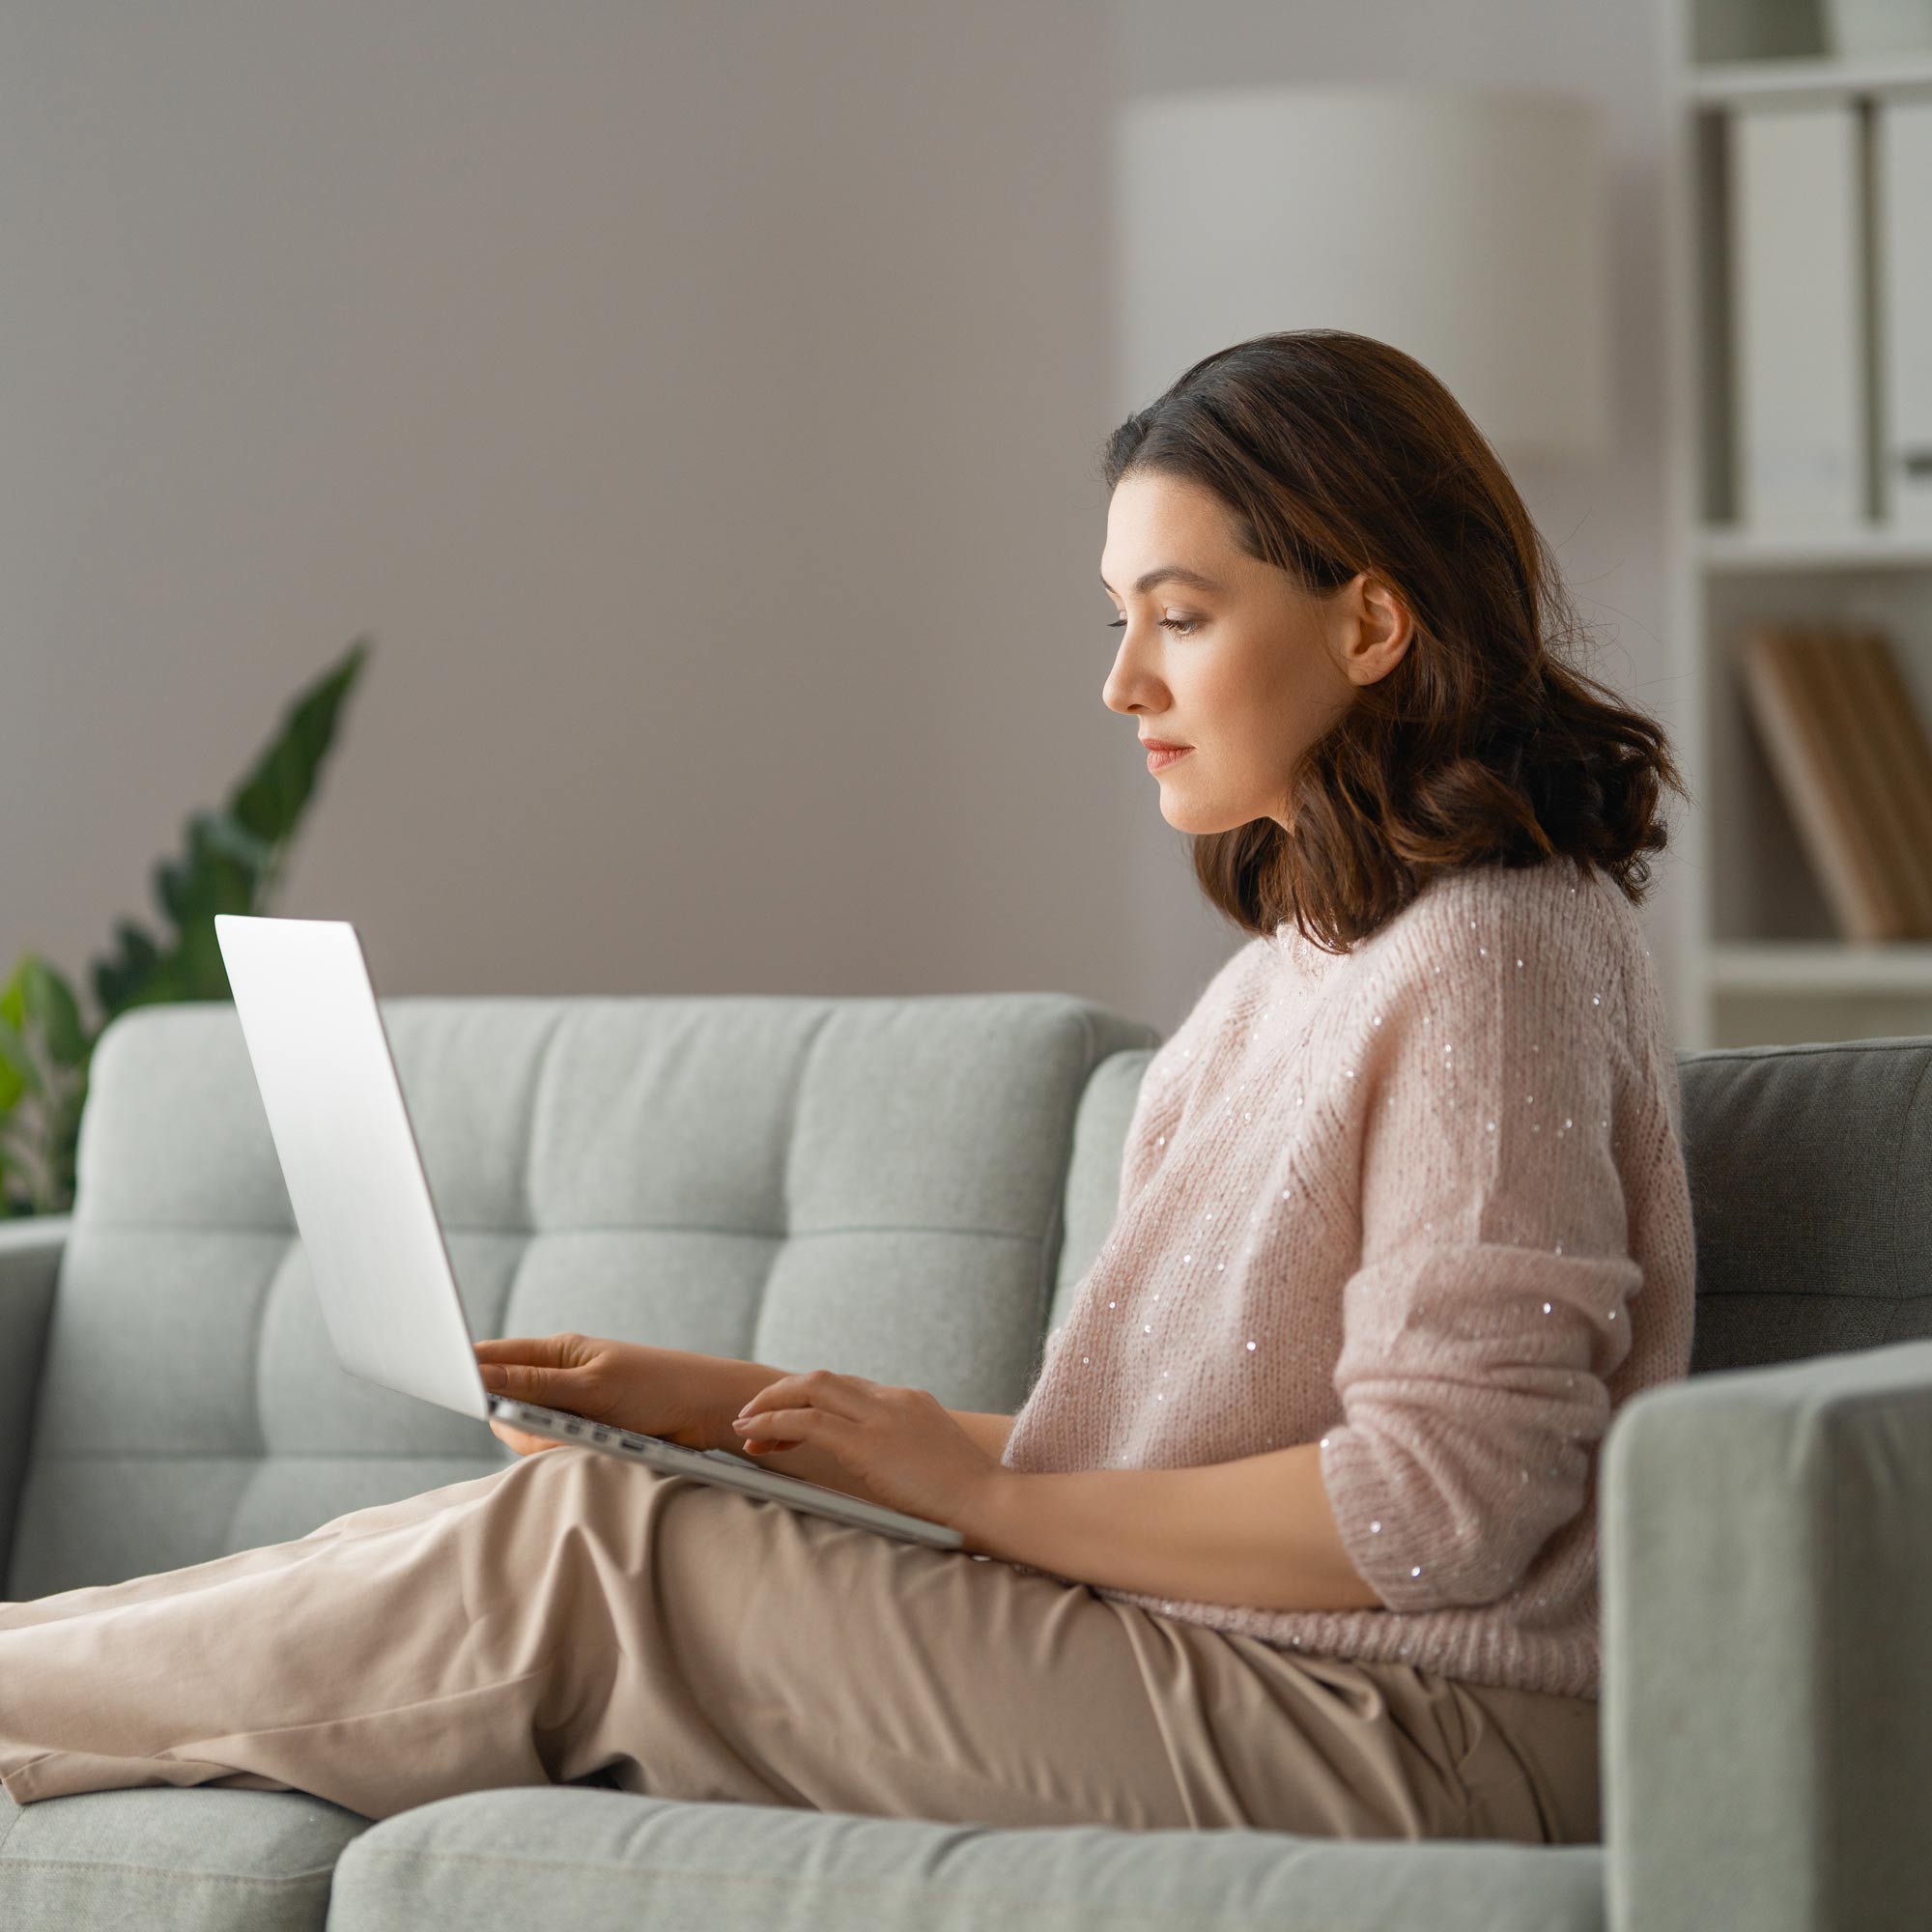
[1848, 749]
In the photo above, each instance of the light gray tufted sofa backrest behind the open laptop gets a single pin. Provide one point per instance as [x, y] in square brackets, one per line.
[870, 1185]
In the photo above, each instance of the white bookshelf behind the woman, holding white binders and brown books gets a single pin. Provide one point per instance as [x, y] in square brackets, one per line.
[1763, 961]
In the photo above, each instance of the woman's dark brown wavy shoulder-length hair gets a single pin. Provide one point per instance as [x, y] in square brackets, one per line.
[1338, 455]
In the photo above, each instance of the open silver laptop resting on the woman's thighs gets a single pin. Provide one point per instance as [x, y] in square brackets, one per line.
[376, 1247]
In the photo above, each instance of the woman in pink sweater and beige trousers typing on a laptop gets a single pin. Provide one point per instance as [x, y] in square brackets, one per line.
[1297, 1525]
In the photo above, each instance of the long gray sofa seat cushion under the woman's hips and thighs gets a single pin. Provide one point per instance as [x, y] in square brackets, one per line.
[611, 1861]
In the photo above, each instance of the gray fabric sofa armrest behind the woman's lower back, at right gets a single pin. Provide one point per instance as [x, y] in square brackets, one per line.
[1767, 1572]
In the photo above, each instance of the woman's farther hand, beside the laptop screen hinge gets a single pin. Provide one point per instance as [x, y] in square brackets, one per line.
[625, 1384]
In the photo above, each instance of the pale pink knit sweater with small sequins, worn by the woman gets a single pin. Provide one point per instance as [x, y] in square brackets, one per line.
[1425, 1205]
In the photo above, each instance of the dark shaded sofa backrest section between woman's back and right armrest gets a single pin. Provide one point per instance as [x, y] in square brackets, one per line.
[1811, 1199]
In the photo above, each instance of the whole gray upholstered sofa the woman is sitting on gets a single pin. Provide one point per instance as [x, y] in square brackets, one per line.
[911, 1189]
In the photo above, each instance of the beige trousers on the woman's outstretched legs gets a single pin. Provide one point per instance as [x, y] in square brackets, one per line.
[575, 1614]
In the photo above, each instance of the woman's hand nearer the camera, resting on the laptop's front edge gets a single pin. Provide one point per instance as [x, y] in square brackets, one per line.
[901, 1442]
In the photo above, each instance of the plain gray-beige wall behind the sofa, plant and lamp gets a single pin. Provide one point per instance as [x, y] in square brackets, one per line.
[700, 407]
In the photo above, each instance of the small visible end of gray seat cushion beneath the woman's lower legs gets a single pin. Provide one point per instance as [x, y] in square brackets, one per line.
[163, 1858]
